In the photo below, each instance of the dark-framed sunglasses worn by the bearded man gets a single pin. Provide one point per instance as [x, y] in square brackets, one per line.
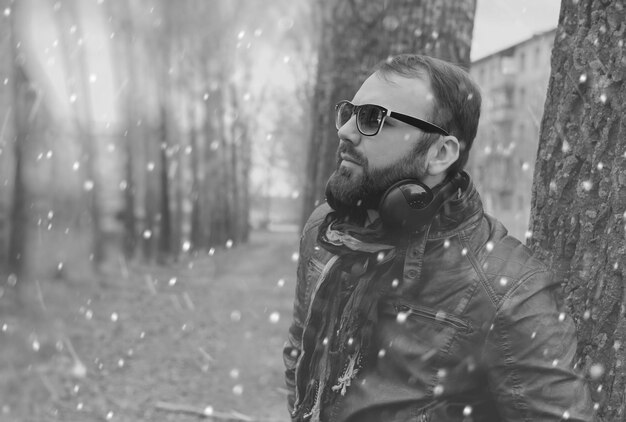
[370, 118]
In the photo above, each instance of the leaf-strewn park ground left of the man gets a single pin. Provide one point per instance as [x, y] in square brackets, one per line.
[199, 339]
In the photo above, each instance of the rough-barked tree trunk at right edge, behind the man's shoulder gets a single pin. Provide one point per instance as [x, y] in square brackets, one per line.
[579, 193]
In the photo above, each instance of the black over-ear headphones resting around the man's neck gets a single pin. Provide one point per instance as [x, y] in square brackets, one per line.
[410, 205]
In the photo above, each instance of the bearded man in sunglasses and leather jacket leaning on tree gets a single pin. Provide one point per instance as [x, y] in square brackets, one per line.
[412, 304]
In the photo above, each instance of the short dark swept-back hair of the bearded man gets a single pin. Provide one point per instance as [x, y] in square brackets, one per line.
[457, 98]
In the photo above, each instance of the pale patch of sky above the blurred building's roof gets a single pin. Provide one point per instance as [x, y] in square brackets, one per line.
[500, 24]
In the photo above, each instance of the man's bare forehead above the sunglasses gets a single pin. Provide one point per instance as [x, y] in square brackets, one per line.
[395, 92]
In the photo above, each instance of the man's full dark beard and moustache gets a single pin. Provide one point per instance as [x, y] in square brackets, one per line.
[352, 190]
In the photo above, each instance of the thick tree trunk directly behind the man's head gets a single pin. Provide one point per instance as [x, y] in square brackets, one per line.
[355, 35]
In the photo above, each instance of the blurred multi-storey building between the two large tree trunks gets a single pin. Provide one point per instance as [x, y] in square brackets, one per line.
[513, 83]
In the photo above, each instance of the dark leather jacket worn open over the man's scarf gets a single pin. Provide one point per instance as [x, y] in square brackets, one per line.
[476, 330]
